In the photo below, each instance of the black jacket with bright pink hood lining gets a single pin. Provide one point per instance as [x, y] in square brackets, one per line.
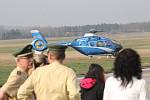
[91, 89]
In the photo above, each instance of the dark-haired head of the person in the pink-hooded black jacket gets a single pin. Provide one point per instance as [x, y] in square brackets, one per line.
[96, 71]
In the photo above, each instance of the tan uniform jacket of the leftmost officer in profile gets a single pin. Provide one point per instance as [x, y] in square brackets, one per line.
[16, 78]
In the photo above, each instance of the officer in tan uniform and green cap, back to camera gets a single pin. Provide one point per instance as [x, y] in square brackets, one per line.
[52, 82]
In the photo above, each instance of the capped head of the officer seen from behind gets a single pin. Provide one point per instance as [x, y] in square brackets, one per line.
[56, 53]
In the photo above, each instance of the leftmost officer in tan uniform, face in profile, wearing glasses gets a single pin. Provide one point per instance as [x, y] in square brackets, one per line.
[17, 77]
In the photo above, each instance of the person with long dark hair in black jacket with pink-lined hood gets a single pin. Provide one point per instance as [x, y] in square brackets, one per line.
[92, 86]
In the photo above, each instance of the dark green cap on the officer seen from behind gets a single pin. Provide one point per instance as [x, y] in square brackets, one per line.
[56, 47]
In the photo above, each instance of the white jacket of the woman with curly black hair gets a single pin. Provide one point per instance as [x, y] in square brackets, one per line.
[133, 91]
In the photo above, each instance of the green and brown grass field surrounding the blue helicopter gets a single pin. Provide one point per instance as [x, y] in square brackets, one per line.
[75, 60]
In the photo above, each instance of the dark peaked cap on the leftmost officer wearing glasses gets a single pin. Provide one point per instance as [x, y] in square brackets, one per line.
[26, 51]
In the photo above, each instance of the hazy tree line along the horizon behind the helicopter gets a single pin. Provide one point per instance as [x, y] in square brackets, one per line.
[20, 32]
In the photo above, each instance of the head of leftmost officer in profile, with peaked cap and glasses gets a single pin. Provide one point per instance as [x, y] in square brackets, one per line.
[24, 58]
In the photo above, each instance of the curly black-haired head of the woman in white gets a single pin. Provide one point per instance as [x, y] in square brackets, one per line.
[127, 65]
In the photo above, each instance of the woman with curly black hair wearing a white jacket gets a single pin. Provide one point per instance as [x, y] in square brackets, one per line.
[127, 82]
